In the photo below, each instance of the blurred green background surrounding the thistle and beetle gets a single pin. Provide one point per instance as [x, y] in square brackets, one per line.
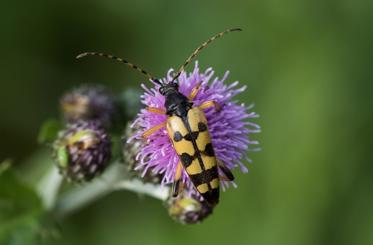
[308, 67]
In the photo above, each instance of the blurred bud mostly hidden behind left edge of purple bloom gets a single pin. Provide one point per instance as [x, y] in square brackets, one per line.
[130, 151]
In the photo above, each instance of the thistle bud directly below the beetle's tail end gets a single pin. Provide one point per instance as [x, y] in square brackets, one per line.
[187, 208]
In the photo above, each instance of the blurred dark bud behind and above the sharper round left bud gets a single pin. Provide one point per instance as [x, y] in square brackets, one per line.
[89, 103]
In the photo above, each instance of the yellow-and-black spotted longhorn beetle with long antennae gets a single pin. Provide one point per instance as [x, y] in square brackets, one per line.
[187, 129]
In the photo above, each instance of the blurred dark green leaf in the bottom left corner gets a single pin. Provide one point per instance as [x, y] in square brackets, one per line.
[20, 210]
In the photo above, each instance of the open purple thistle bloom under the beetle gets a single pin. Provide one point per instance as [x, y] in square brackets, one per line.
[229, 128]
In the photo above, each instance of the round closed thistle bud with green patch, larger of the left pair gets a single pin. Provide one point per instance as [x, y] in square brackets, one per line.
[82, 151]
